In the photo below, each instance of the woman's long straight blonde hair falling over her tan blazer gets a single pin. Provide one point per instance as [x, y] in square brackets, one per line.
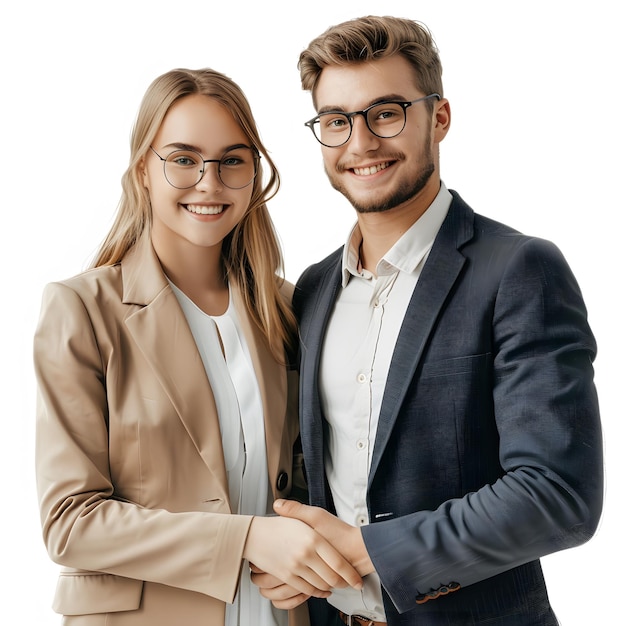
[251, 253]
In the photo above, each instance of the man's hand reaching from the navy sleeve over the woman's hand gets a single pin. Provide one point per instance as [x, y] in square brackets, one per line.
[345, 538]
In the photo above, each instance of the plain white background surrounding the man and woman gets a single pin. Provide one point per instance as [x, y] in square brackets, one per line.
[537, 97]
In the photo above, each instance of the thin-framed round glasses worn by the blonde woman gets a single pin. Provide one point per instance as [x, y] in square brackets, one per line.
[236, 168]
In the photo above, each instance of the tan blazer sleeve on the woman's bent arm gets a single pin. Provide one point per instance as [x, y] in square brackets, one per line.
[85, 523]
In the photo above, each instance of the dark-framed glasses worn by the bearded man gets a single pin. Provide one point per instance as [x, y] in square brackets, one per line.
[383, 119]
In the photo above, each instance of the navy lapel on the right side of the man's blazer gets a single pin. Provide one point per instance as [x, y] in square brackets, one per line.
[439, 274]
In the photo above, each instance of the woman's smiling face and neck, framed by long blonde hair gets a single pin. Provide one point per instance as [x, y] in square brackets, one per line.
[193, 208]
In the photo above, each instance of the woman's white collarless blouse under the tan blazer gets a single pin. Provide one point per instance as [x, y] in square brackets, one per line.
[240, 410]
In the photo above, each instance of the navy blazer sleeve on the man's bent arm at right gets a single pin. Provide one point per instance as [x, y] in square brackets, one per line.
[549, 496]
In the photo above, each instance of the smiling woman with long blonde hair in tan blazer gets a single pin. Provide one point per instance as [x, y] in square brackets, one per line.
[166, 408]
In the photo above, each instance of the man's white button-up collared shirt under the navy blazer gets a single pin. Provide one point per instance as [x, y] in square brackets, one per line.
[358, 346]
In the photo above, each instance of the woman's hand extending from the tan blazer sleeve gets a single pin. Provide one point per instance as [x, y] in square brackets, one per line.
[295, 554]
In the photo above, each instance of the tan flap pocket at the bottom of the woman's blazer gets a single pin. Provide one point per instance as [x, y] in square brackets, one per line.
[82, 593]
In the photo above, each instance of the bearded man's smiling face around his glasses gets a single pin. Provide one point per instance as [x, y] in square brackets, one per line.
[377, 174]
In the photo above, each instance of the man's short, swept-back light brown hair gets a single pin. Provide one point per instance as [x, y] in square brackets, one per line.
[369, 38]
